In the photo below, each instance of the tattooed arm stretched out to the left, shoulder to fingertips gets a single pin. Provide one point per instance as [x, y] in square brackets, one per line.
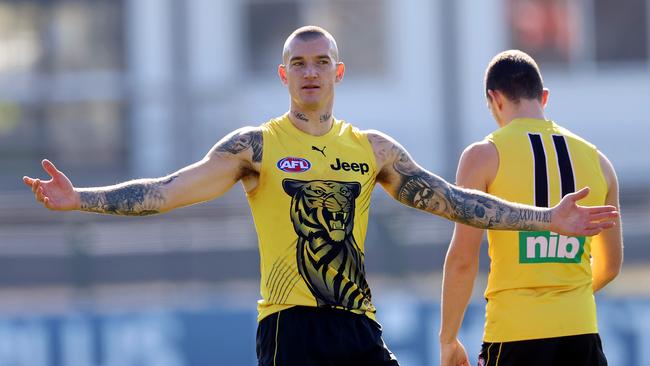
[236, 157]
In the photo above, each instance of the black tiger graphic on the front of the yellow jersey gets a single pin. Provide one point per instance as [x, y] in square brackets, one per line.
[328, 258]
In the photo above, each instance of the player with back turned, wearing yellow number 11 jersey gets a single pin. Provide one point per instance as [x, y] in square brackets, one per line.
[540, 294]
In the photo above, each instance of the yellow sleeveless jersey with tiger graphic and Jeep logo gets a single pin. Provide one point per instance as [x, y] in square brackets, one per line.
[311, 215]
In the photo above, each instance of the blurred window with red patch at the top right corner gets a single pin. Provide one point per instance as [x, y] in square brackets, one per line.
[558, 32]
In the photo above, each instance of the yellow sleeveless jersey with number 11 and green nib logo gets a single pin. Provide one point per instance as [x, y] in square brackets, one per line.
[539, 285]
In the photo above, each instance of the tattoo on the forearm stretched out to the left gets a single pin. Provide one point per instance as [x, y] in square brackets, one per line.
[137, 198]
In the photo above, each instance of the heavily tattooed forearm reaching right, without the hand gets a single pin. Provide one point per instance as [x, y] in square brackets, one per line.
[425, 191]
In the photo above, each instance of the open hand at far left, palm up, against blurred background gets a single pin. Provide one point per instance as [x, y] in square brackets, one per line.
[56, 193]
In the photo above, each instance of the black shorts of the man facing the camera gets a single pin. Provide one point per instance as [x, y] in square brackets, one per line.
[310, 336]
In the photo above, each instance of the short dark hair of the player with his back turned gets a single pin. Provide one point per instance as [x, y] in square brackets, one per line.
[516, 75]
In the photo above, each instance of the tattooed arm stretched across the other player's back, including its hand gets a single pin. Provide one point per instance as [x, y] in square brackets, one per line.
[416, 187]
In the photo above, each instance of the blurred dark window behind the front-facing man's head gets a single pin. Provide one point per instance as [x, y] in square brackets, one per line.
[358, 26]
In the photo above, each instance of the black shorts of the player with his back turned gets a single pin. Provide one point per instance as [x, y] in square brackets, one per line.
[578, 350]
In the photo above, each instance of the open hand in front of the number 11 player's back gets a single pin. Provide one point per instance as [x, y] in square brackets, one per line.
[568, 218]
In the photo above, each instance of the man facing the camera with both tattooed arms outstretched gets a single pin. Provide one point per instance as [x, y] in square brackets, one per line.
[308, 178]
